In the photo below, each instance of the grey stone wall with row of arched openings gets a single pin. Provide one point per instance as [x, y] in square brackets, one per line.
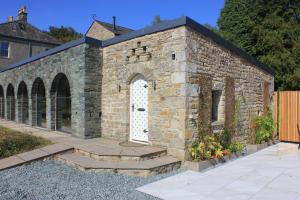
[81, 65]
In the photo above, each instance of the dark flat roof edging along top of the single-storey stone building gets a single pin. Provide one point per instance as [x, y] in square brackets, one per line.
[183, 21]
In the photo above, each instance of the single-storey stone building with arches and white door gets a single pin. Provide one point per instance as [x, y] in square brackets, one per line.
[161, 85]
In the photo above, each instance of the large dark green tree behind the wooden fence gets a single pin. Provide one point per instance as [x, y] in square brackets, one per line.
[268, 30]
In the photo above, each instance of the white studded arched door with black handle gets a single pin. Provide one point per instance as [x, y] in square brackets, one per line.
[139, 109]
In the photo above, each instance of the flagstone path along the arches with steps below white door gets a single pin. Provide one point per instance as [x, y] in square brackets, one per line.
[96, 154]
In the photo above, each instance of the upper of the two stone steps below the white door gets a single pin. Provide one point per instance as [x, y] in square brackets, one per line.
[125, 153]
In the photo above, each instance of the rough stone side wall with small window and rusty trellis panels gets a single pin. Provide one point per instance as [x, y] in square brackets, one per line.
[205, 56]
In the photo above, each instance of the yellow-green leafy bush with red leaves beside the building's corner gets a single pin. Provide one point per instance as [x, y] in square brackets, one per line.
[207, 148]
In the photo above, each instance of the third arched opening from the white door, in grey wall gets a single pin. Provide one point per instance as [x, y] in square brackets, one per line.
[22, 97]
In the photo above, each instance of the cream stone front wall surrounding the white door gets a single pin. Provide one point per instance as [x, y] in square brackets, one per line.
[160, 58]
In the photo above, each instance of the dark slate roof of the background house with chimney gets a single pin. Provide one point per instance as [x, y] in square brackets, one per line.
[26, 31]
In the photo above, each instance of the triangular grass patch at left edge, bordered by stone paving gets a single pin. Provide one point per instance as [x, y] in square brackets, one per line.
[14, 142]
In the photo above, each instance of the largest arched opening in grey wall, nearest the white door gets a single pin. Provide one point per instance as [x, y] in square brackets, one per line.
[61, 103]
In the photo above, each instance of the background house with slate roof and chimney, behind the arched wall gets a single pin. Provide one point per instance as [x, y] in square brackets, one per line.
[19, 39]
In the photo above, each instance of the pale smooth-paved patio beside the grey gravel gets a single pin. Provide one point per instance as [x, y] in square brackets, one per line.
[273, 173]
